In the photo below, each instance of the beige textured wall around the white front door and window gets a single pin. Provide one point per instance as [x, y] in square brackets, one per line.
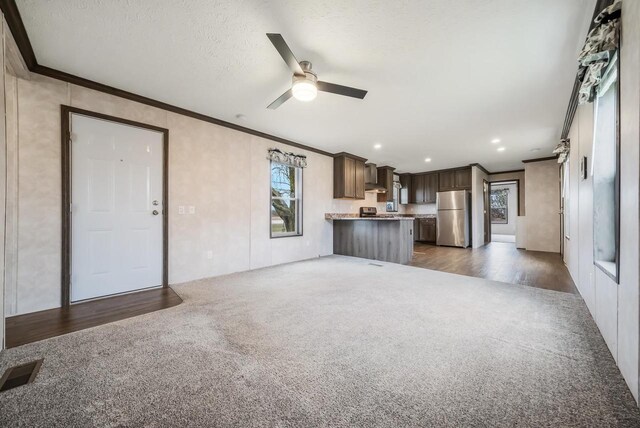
[222, 172]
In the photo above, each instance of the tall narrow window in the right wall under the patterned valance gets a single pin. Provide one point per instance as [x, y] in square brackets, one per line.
[605, 166]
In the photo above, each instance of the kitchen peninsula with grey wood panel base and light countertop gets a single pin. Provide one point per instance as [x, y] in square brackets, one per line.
[389, 239]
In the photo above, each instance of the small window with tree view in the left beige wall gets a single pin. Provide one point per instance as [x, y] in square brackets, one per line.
[286, 200]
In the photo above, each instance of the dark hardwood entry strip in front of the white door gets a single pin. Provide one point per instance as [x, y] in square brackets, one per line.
[27, 328]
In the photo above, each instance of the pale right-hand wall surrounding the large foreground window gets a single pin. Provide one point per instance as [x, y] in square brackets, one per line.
[615, 307]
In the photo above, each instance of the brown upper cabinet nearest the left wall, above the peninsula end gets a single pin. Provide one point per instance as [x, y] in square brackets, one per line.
[348, 176]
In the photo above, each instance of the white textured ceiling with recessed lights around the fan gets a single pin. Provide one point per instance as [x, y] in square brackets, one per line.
[444, 77]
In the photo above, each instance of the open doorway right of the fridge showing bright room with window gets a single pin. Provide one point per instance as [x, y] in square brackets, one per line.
[504, 202]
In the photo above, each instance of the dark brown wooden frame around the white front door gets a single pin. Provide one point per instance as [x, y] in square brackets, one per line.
[65, 137]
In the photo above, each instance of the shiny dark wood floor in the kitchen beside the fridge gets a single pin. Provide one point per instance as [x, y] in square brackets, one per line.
[498, 261]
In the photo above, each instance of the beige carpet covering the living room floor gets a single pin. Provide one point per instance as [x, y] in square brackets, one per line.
[332, 342]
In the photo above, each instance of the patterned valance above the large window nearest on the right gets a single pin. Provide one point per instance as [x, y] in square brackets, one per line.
[600, 46]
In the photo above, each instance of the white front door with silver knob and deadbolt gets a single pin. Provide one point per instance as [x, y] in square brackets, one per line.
[116, 208]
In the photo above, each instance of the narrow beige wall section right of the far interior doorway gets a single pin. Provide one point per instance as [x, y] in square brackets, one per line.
[543, 206]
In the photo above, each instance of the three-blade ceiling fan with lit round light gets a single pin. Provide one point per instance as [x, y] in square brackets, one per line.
[305, 85]
